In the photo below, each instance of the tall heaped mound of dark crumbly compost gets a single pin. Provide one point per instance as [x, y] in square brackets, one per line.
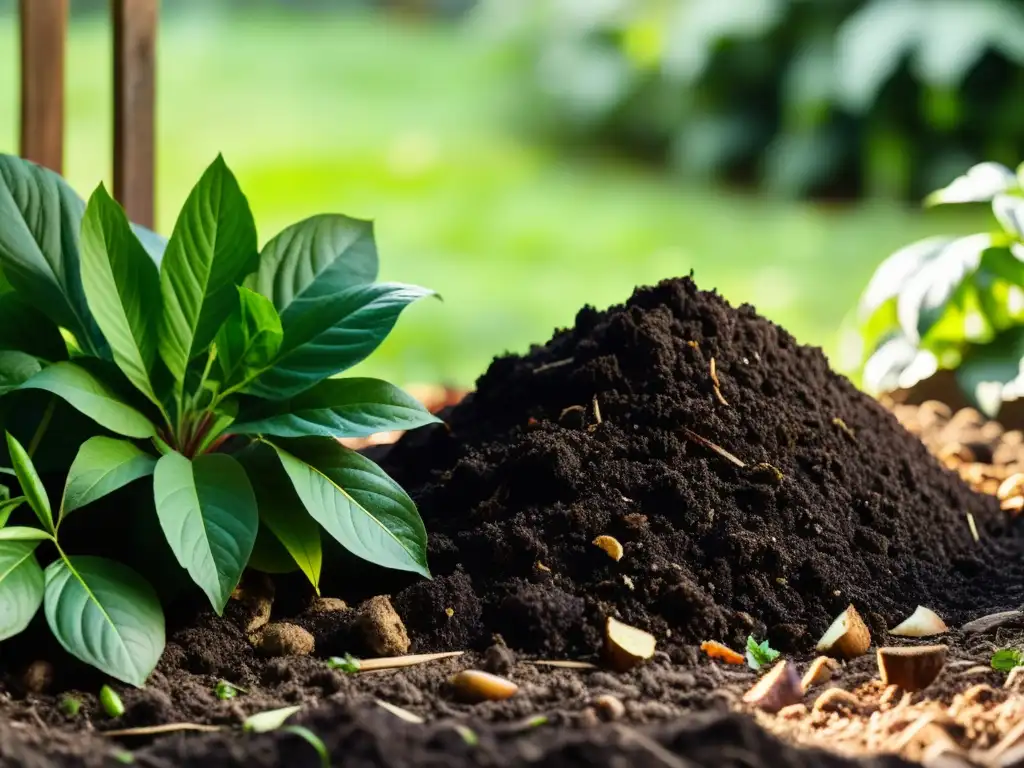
[618, 426]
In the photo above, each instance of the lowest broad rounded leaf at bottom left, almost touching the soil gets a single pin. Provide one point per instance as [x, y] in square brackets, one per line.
[106, 615]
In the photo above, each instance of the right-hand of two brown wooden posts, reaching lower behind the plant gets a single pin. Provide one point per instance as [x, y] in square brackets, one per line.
[135, 106]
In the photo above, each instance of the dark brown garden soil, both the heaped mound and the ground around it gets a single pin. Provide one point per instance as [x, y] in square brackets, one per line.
[752, 490]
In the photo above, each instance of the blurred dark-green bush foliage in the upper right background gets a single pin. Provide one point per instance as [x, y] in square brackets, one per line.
[837, 98]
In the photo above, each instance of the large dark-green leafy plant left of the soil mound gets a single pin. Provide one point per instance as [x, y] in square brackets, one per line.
[205, 364]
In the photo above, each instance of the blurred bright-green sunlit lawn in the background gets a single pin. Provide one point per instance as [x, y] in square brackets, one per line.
[410, 126]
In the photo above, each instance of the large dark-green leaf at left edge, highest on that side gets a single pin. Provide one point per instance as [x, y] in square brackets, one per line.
[39, 224]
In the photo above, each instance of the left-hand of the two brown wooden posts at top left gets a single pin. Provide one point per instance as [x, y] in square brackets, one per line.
[45, 27]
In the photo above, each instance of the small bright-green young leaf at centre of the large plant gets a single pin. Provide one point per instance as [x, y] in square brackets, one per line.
[250, 338]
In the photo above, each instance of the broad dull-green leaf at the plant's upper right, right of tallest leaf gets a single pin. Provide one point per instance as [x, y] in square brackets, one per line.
[320, 257]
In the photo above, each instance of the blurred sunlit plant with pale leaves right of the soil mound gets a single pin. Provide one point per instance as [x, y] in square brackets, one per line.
[954, 304]
